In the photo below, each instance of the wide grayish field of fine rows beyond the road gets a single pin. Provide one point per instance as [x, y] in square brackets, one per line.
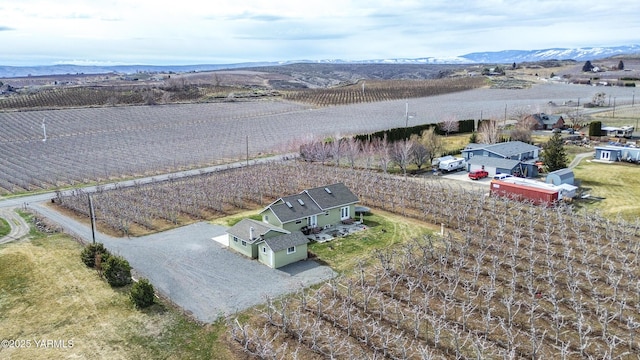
[100, 144]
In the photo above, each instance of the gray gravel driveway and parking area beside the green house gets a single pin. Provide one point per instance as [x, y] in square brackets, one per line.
[197, 273]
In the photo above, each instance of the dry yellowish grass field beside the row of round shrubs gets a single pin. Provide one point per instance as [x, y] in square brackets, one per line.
[48, 294]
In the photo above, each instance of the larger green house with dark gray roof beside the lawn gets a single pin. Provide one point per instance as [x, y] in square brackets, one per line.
[311, 209]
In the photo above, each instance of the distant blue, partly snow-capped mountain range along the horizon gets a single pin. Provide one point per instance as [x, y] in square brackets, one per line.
[496, 57]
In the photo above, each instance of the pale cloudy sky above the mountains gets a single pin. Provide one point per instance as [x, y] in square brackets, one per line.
[184, 32]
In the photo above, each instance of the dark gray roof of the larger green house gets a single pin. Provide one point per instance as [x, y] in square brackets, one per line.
[312, 202]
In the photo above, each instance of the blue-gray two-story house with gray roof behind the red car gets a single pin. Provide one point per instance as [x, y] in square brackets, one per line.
[513, 157]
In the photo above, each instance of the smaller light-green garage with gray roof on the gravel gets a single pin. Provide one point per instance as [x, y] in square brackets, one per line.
[271, 245]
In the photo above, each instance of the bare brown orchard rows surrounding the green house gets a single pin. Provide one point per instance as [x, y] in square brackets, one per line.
[508, 279]
